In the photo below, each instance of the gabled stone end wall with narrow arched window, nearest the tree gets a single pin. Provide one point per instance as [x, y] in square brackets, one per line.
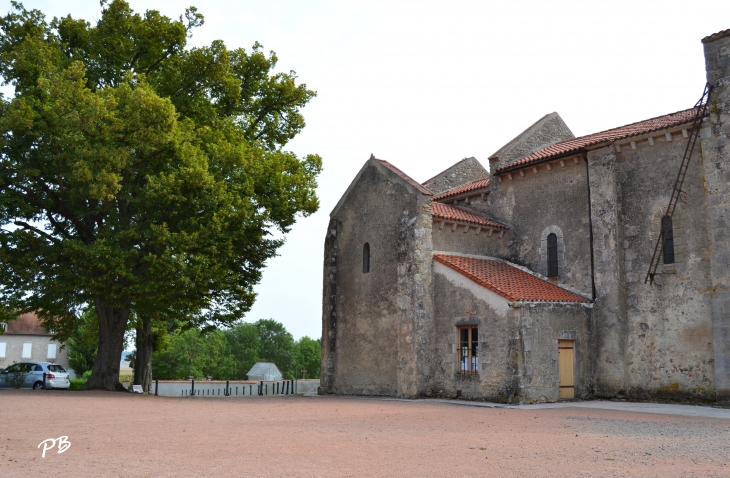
[375, 324]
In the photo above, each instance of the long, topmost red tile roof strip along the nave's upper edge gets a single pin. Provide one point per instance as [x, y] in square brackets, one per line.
[574, 145]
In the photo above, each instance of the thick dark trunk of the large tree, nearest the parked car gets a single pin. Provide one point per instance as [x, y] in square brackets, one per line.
[112, 326]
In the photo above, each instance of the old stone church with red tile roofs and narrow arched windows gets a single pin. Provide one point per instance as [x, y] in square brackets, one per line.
[596, 266]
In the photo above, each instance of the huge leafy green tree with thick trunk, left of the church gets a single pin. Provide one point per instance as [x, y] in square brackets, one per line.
[140, 176]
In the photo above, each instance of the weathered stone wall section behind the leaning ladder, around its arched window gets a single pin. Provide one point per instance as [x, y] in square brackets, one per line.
[669, 338]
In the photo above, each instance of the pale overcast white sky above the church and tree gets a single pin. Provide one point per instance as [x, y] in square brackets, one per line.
[425, 84]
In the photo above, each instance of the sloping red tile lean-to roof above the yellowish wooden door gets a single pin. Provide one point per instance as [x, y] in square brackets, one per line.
[510, 282]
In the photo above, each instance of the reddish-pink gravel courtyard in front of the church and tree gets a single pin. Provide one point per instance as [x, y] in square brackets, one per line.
[114, 434]
